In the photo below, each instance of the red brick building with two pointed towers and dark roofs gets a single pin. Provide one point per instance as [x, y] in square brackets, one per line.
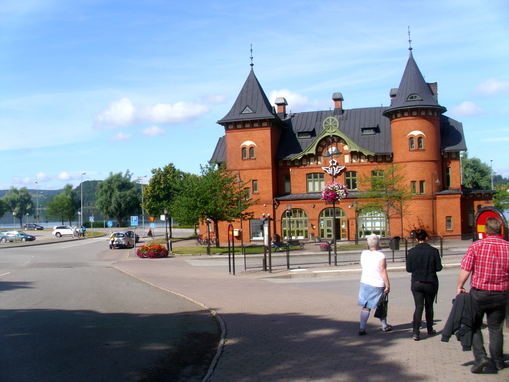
[282, 157]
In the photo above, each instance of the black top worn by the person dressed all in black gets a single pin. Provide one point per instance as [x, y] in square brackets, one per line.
[423, 261]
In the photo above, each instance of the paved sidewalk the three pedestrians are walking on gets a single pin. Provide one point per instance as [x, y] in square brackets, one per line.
[278, 332]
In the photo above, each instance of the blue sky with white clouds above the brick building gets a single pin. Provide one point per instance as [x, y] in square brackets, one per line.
[93, 87]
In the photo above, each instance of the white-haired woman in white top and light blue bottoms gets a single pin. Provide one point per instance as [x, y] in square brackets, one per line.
[374, 281]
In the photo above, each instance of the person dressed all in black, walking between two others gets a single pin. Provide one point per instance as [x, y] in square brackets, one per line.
[423, 261]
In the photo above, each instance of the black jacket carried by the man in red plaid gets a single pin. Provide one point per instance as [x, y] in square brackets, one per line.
[460, 321]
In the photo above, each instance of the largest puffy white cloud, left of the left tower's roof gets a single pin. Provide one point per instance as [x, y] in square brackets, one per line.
[123, 113]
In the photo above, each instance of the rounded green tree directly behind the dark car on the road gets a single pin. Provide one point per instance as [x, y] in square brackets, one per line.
[118, 196]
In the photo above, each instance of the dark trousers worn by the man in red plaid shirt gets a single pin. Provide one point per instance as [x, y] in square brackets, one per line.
[493, 303]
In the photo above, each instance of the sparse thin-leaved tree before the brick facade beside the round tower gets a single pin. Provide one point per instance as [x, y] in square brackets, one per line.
[385, 190]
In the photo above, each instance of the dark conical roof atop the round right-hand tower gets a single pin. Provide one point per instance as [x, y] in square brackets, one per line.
[413, 90]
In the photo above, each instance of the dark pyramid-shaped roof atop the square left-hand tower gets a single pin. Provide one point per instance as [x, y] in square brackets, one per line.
[251, 103]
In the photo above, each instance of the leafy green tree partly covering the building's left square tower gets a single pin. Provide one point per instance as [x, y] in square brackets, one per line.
[216, 195]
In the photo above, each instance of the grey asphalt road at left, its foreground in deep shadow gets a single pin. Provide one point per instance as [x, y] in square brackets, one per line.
[67, 315]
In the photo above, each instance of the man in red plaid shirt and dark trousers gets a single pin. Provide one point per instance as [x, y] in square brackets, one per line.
[487, 263]
